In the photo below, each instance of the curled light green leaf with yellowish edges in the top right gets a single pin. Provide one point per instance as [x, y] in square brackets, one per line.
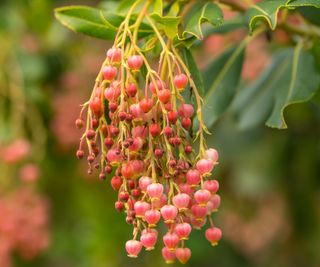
[267, 11]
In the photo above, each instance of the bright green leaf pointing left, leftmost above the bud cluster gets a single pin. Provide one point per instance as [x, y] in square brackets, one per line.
[88, 20]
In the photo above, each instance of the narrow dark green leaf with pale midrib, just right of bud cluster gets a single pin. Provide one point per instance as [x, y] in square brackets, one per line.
[221, 79]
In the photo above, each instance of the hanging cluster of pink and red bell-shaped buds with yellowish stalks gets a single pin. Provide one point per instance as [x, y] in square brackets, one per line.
[139, 129]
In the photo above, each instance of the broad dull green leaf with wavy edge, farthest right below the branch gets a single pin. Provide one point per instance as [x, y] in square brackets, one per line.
[291, 78]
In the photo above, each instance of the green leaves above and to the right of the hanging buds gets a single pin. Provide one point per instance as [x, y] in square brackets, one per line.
[221, 76]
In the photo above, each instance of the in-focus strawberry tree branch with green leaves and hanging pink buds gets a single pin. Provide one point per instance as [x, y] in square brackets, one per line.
[145, 123]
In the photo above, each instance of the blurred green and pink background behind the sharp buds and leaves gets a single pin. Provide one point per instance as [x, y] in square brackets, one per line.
[53, 214]
